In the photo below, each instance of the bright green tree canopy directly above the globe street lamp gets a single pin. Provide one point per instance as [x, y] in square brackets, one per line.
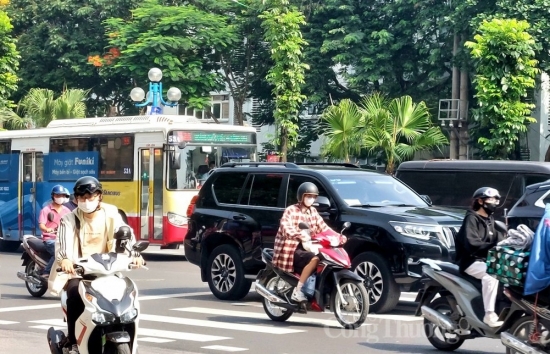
[181, 40]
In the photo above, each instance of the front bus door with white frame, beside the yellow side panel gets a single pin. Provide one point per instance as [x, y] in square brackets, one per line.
[151, 187]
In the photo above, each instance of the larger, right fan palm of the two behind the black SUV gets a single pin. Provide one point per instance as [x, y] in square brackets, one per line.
[399, 127]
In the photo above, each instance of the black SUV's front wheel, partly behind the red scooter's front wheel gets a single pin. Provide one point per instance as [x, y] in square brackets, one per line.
[383, 290]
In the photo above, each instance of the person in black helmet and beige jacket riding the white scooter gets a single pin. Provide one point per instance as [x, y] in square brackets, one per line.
[87, 230]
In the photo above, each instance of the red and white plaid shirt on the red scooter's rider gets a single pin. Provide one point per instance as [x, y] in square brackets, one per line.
[288, 236]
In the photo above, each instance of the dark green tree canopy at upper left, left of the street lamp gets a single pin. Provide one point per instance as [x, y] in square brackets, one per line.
[56, 38]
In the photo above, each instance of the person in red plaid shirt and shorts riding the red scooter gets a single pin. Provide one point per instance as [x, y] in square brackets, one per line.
[288, 253]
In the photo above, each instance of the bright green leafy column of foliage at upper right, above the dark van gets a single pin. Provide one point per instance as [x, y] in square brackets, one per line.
[505, 68]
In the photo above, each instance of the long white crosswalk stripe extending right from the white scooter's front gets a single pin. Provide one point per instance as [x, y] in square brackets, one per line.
[217, 324]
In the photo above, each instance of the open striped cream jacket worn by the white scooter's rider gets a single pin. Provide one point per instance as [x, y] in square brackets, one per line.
[67, 244]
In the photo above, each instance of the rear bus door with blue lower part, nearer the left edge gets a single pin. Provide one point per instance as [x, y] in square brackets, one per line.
[32, 174]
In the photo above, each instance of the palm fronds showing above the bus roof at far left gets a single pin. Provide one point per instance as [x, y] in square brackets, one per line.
[39, 107]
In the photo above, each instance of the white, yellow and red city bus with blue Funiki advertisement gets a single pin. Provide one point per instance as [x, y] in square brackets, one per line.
[150, 167]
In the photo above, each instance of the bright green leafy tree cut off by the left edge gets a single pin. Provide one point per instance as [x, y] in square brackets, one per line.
[9, 61]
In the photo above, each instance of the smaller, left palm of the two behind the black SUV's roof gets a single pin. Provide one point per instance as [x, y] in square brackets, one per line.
[341, 124]
